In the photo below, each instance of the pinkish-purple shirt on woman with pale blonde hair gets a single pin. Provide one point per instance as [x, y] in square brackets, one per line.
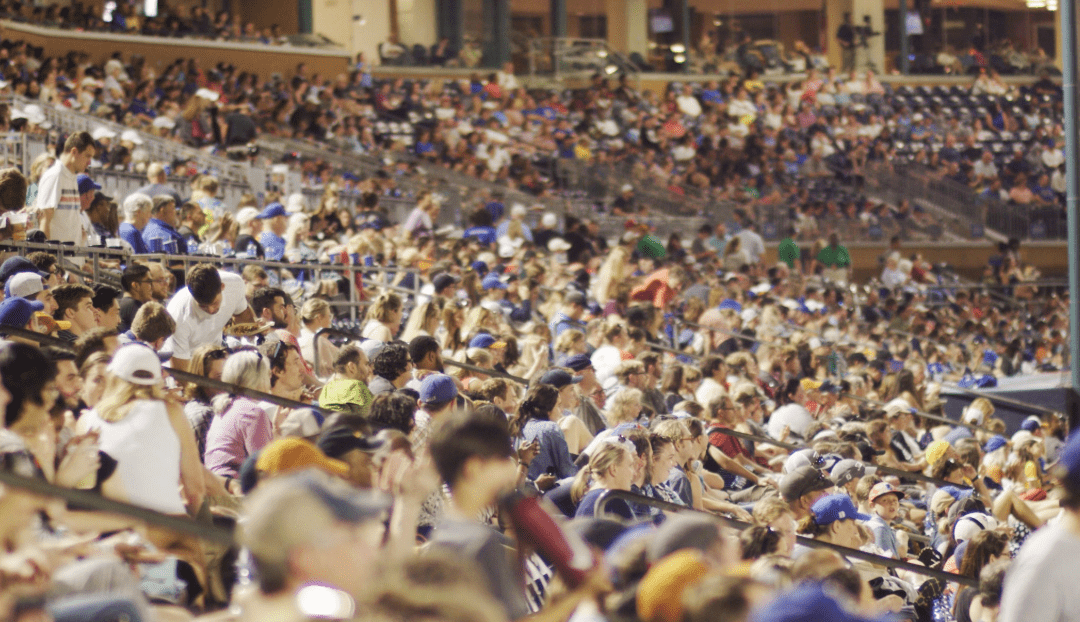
[242, 430]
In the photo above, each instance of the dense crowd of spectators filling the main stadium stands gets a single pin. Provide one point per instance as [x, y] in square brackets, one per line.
[266, 410]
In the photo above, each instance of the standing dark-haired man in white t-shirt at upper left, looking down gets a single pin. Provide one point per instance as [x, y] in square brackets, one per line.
[59, 207]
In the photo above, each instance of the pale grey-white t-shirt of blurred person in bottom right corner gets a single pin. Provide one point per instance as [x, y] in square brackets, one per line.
[1042, 584]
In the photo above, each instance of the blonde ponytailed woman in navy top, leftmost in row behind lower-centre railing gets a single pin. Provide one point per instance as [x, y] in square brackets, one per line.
[611, 468]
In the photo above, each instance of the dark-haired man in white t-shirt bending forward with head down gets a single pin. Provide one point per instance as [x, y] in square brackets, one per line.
[204, 309]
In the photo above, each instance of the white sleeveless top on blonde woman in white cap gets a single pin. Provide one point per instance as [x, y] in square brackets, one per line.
[147, 453]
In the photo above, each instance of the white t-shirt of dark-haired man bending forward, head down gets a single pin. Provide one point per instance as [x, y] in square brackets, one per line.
[195, 328]
